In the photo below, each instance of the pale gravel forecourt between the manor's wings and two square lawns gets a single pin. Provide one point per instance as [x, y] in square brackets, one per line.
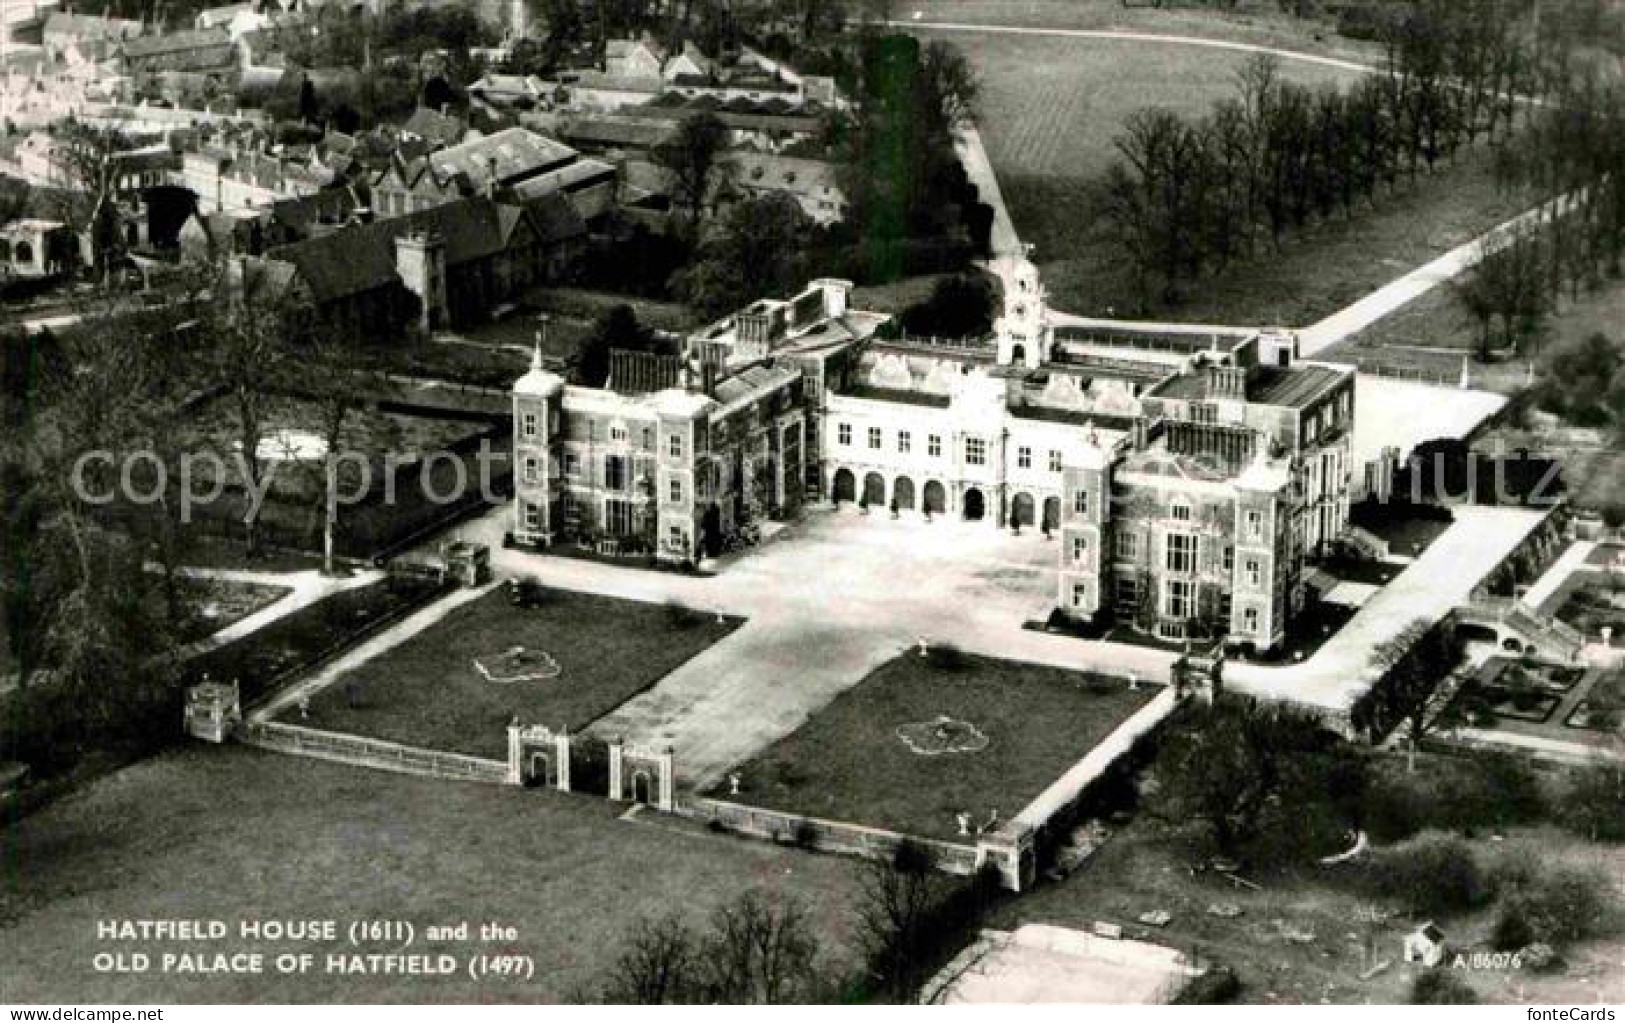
[828, 600]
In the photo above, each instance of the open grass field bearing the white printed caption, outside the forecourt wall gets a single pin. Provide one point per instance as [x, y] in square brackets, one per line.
[233, 834]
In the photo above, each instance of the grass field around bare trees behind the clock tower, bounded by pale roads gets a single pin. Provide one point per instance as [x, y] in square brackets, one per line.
[1049, 114]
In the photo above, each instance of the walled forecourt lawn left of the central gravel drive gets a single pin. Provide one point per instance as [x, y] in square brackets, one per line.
[428, 693]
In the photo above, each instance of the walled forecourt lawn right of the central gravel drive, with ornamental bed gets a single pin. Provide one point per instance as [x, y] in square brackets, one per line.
[849, 762]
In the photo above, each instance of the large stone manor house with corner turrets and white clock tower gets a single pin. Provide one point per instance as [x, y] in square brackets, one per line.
[1184, 490]
